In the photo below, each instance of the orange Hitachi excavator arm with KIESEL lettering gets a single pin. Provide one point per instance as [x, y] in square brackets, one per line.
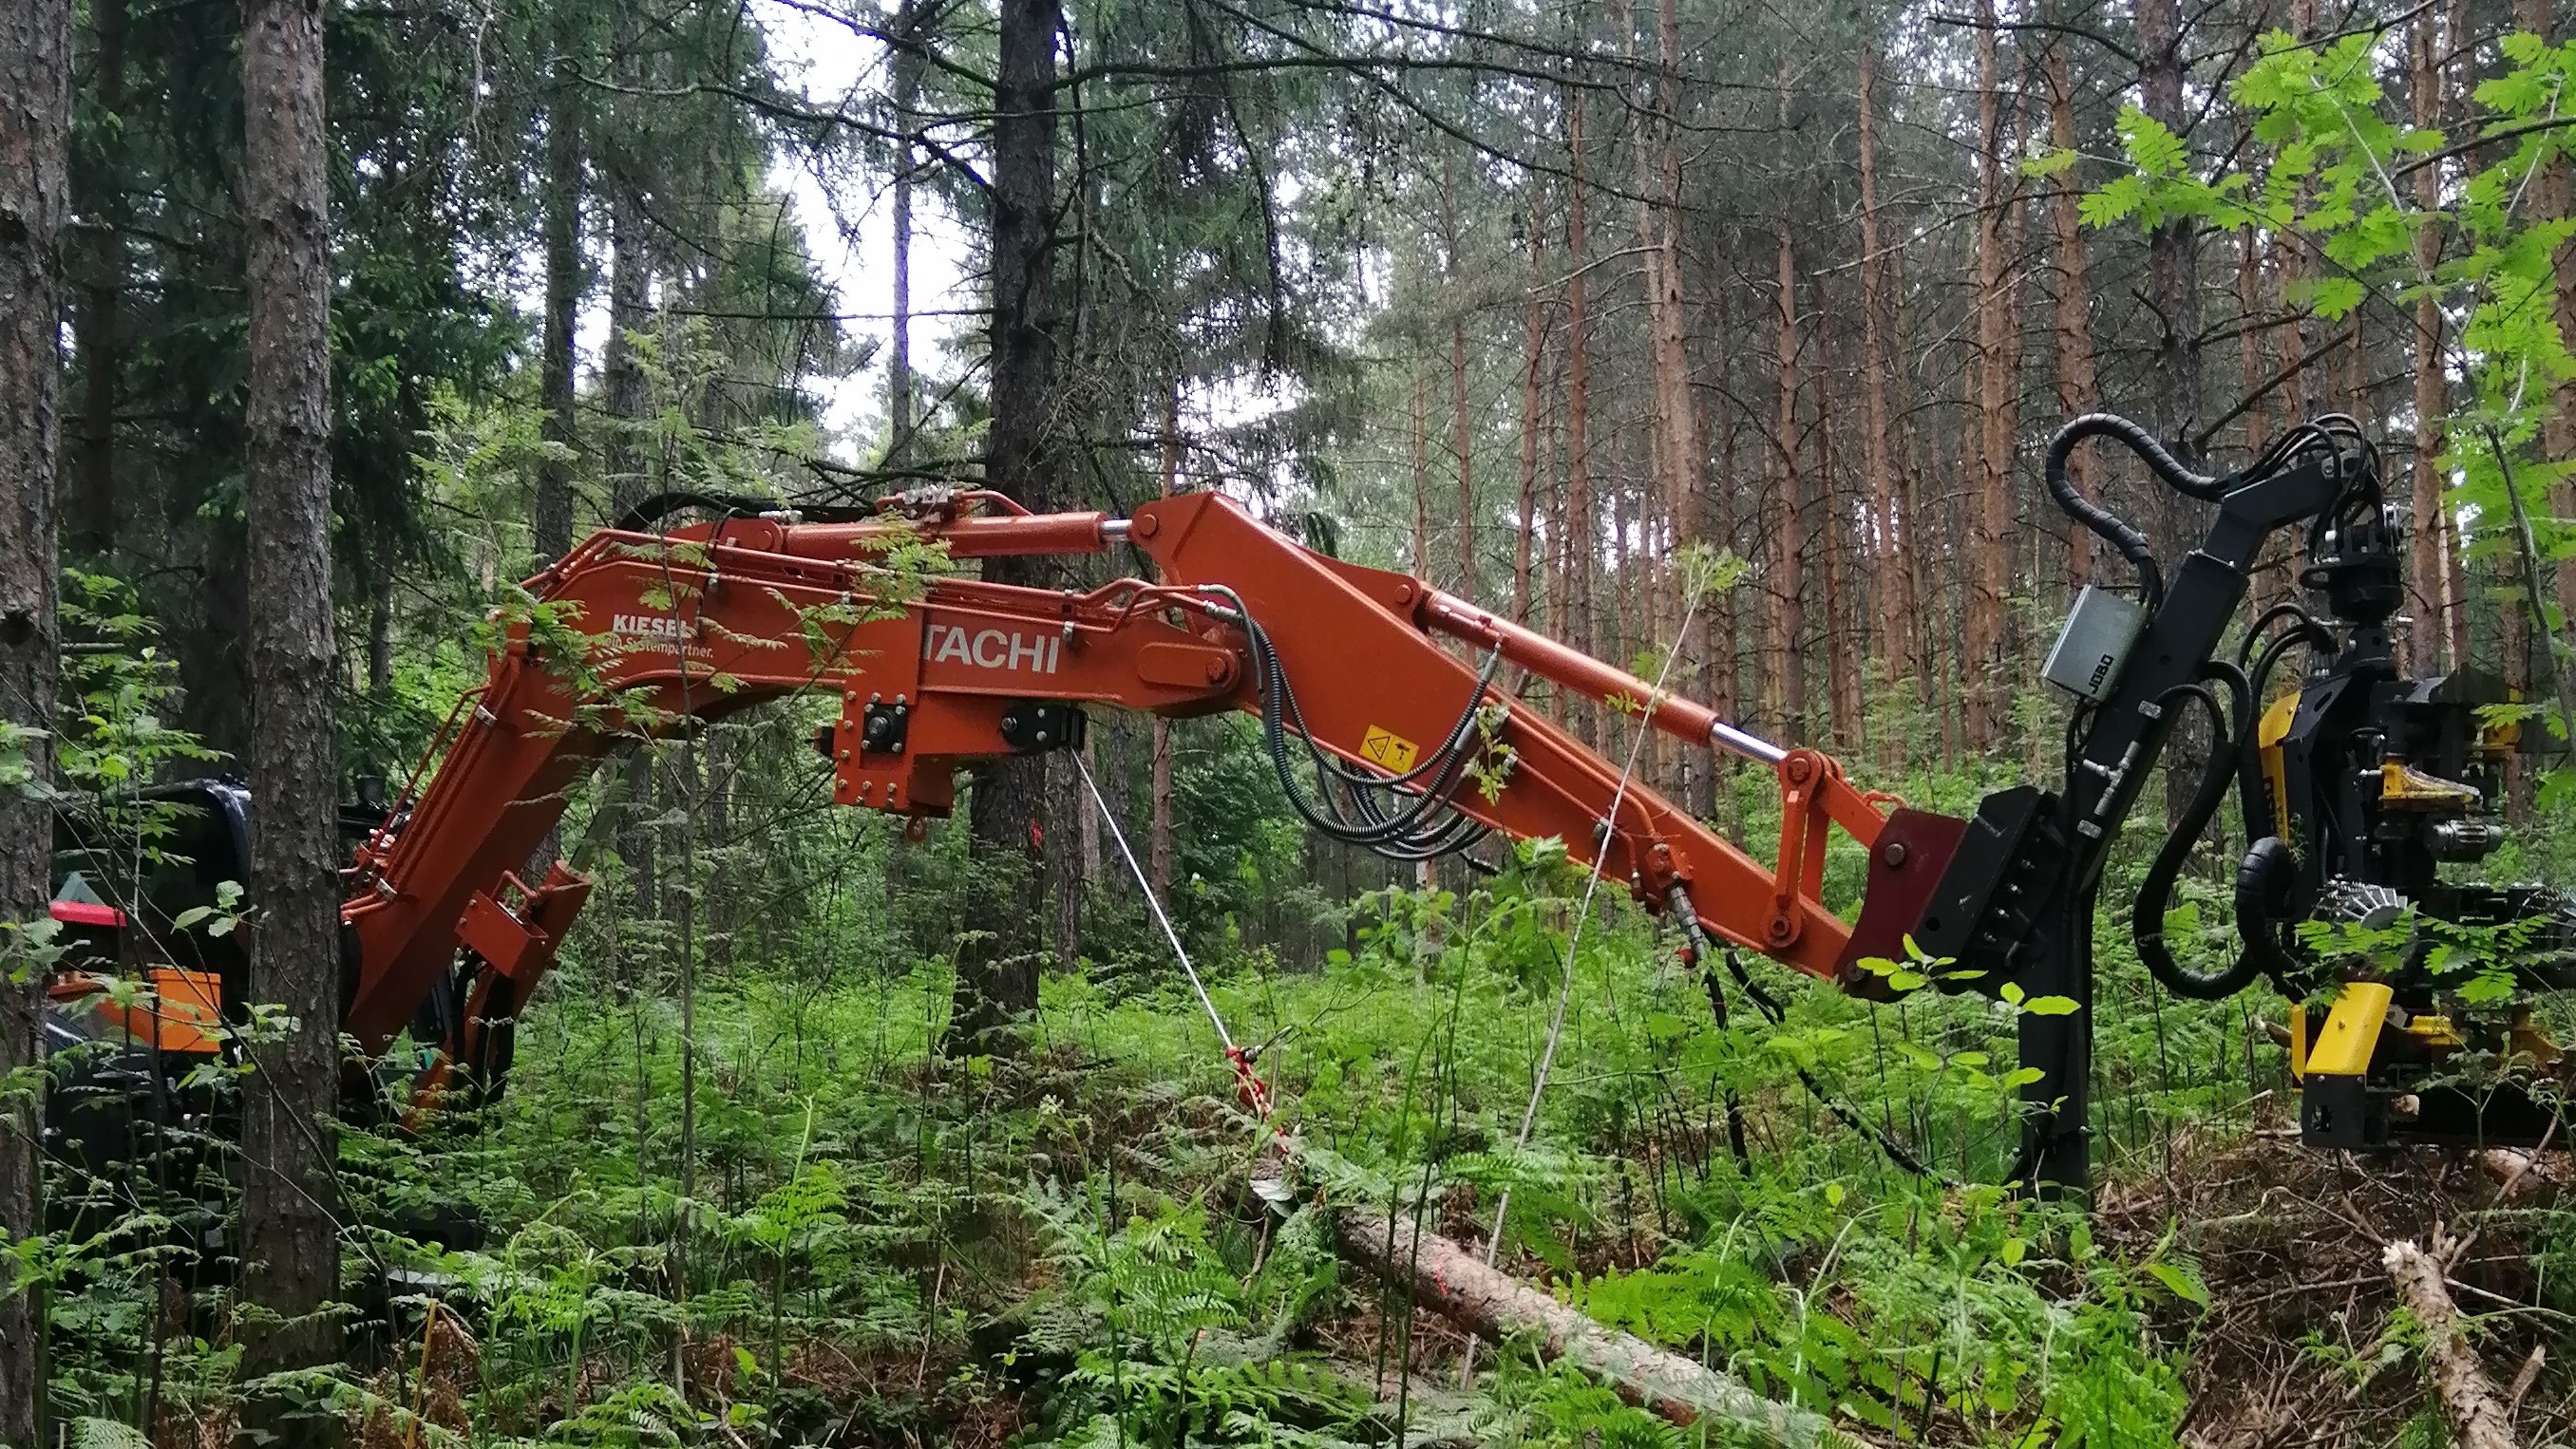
[1354, 663]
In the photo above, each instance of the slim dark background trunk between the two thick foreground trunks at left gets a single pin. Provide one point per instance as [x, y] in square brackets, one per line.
[97, 326]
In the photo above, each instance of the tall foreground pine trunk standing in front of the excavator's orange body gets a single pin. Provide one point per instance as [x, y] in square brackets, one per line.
[290, 1226]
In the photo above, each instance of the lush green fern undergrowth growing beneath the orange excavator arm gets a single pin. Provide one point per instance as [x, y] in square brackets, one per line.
[1063, 1244]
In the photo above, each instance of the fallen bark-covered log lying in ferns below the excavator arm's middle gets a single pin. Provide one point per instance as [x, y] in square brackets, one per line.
[1454, 1283]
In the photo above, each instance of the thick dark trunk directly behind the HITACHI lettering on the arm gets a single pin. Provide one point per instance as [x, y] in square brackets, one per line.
[998, 977]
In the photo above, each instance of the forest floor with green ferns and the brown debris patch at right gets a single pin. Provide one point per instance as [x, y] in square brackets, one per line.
[831, 1234]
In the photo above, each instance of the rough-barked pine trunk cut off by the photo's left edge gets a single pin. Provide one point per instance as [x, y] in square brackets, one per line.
[35, 169]
